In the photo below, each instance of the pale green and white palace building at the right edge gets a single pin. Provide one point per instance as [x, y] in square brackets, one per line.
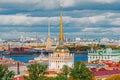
[107, 54]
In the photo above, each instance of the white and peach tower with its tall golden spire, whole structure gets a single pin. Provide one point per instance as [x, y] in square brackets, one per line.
[61, 55]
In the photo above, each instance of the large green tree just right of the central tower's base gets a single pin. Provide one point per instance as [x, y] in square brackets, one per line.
[81, 72]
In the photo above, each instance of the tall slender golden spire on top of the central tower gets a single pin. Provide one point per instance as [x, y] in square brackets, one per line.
[61, 35]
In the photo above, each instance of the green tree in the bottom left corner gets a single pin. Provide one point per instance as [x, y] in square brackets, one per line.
[5, 74]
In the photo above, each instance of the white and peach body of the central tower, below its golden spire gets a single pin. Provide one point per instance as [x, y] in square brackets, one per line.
[60, 57]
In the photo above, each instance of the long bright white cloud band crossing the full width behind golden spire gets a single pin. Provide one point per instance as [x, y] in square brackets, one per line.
[103, 19]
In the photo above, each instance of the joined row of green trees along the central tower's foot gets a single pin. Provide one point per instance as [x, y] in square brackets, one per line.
[78, 72]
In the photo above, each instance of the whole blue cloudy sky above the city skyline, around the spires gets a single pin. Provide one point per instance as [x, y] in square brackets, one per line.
[81, 18]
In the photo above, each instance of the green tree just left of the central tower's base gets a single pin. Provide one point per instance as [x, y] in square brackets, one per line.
[36, 71]
